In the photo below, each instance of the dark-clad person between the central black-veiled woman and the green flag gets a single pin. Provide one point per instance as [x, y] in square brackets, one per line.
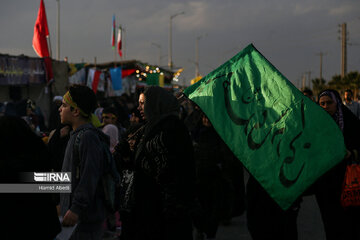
[213, 186]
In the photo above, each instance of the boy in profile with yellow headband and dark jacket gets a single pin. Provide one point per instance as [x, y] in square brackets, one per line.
[85, 204]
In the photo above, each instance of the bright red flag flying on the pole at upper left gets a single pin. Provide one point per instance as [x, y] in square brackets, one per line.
[41, 32]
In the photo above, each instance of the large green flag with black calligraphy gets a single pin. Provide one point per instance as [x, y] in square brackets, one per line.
[285, 140]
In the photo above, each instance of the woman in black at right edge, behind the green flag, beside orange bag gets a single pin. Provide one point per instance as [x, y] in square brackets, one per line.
[339, 223]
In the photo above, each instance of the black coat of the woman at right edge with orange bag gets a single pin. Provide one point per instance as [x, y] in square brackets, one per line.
[338, 223]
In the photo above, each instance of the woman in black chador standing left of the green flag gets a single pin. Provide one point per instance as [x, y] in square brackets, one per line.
[164, 180]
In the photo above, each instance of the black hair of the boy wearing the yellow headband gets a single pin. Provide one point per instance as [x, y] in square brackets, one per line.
[84, 98]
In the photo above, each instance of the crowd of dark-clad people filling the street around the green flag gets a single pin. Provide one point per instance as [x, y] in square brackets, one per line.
[177, 178]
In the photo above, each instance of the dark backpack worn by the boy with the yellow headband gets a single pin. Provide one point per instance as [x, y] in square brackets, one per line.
[110, 178]
